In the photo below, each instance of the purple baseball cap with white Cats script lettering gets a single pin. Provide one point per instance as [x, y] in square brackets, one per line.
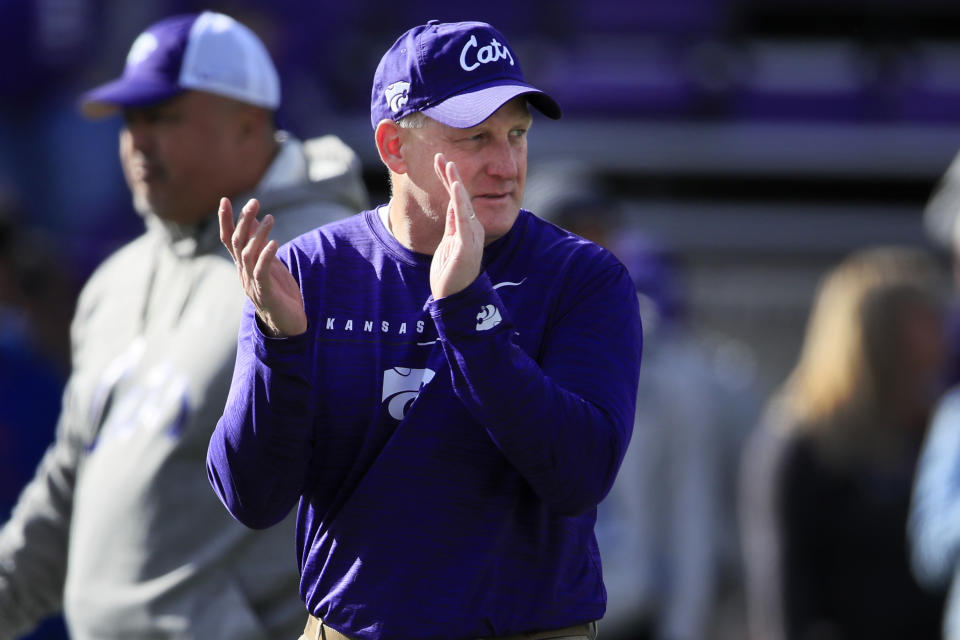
[457, 73]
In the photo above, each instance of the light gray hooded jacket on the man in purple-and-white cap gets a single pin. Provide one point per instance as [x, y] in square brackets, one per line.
[119, 528]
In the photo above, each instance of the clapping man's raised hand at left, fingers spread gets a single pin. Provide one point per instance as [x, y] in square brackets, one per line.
[265, 279]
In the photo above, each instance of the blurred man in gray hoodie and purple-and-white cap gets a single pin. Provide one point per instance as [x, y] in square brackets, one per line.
[118, 528]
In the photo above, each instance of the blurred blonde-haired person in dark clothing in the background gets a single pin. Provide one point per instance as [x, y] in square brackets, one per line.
[826, 478]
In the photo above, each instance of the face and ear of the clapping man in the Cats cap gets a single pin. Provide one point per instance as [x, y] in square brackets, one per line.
[491, 158]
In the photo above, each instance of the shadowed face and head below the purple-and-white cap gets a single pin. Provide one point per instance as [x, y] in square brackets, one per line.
[181, 155]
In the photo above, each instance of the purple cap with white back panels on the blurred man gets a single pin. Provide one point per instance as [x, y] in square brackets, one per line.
[206, 51]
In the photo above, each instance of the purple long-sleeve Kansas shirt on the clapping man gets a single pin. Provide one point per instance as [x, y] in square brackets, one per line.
[447, 455]
